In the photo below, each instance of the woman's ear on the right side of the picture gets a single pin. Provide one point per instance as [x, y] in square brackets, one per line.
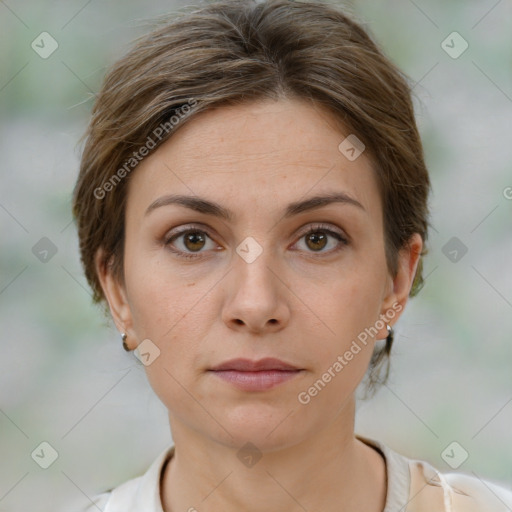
[400, 286]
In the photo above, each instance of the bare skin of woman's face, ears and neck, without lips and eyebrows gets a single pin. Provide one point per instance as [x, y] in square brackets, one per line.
[300, 301]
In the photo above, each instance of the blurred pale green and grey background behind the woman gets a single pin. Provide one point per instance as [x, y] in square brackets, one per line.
[64, 376]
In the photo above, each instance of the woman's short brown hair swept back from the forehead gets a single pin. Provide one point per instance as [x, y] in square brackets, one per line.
[233, 51]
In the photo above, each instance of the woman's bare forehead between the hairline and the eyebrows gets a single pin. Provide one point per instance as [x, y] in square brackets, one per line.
[263, 154]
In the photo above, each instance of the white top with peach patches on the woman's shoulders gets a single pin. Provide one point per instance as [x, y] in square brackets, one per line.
[412, 486]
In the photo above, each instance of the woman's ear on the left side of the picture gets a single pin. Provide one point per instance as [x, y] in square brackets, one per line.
[115, 293]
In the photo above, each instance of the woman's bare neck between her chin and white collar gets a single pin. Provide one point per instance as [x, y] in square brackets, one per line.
[330, 471]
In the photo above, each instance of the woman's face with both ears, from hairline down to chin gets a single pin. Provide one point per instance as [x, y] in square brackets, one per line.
[247, 265]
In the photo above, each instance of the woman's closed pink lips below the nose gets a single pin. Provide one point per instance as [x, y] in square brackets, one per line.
[259, 375]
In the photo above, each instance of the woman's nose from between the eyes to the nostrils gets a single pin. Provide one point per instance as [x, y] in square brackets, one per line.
[256, 297]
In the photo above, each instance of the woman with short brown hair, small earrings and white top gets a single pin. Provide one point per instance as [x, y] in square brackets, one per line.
[252, 205]
